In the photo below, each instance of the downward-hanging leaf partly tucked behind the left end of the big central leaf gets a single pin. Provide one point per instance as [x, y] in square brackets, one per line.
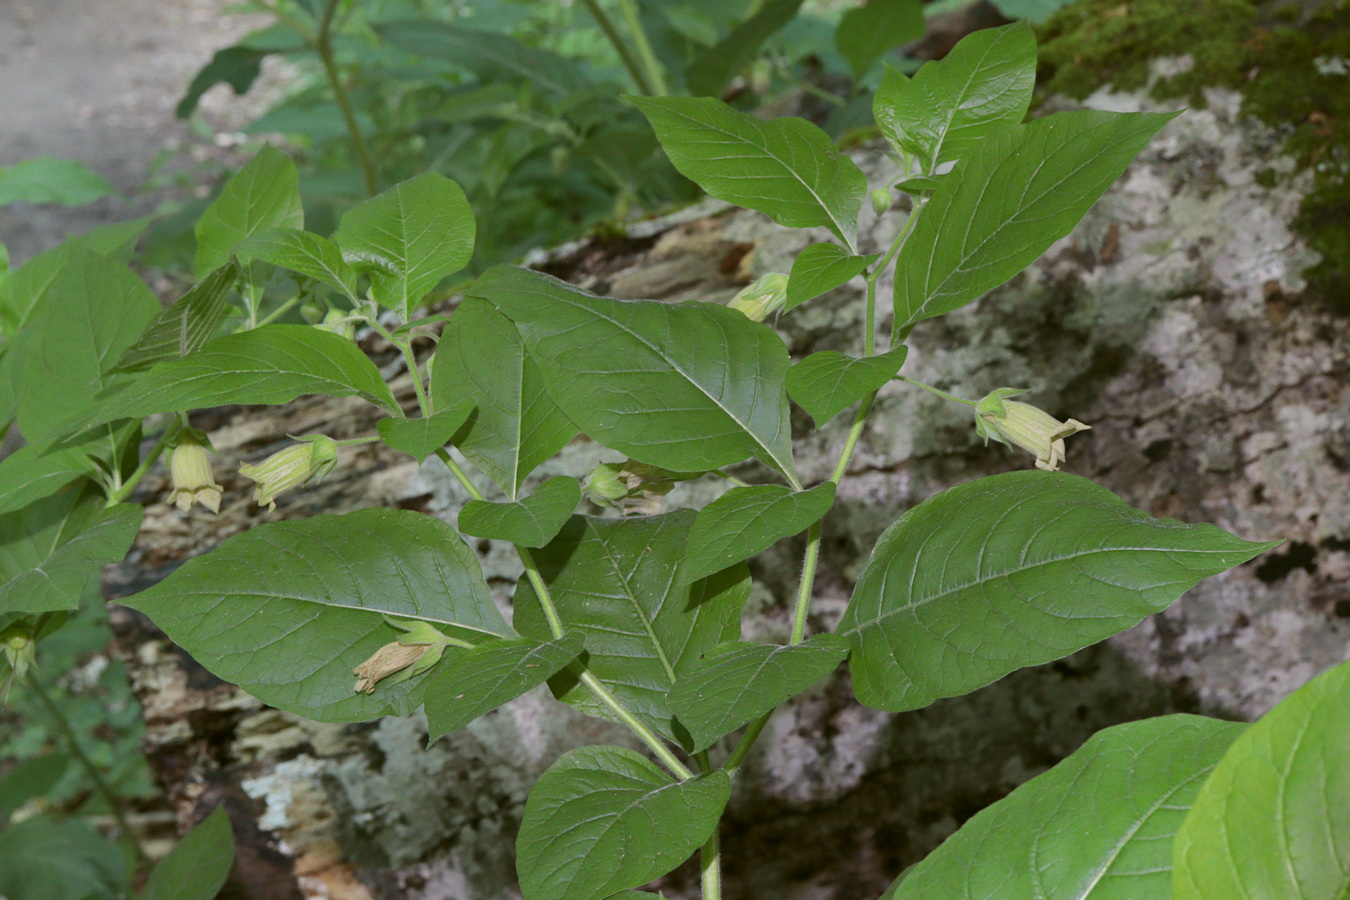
[516, 427]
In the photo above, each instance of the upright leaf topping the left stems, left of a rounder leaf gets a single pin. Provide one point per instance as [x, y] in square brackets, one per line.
[264, 195]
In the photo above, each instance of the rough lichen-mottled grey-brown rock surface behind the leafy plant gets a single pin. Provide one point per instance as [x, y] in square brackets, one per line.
[1171, 320]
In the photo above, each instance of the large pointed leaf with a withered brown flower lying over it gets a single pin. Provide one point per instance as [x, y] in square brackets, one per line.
[288, 609]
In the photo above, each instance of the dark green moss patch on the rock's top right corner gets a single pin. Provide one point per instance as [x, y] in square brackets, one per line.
[1287, 60]
